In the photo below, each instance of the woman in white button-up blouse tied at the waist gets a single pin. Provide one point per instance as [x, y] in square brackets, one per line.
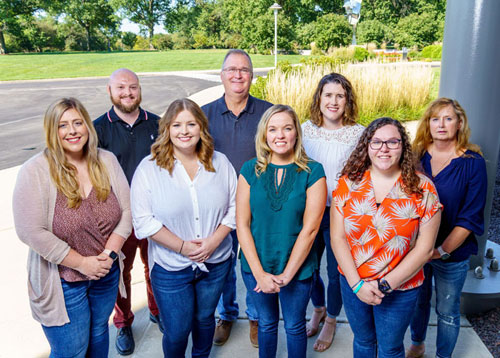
[182, 199]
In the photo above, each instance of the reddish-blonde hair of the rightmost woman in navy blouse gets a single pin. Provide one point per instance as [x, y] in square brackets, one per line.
[423, 138]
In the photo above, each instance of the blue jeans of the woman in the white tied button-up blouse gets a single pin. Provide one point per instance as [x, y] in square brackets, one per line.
[187, 300]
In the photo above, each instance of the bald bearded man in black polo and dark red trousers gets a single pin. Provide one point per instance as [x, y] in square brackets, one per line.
[128, 131]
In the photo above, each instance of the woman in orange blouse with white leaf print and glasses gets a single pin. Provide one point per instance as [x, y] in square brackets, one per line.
[383, 230]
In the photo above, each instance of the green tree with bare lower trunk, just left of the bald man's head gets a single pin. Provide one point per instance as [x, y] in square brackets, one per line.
[91, 15]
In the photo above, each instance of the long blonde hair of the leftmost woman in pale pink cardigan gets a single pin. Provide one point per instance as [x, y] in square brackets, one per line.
[63, 173]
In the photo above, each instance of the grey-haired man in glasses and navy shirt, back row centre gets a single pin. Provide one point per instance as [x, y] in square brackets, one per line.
[233, 121]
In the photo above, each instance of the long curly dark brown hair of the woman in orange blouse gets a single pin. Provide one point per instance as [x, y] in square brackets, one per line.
[359, 161]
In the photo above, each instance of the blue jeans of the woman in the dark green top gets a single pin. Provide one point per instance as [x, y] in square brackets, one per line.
[294, 298]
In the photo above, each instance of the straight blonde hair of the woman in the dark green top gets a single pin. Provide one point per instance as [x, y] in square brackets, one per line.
[262, 149]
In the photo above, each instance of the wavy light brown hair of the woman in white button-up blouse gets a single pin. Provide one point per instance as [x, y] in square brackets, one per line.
[162, 149]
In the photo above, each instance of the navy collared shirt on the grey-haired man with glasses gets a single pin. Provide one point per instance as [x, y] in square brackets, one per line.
[235, 135]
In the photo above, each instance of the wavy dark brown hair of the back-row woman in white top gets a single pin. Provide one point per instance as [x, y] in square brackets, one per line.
[351, 107]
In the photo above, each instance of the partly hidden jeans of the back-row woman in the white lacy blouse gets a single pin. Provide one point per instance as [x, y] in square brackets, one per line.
[334, 298]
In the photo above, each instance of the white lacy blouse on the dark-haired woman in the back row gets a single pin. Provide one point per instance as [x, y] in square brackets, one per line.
[332, 148]
